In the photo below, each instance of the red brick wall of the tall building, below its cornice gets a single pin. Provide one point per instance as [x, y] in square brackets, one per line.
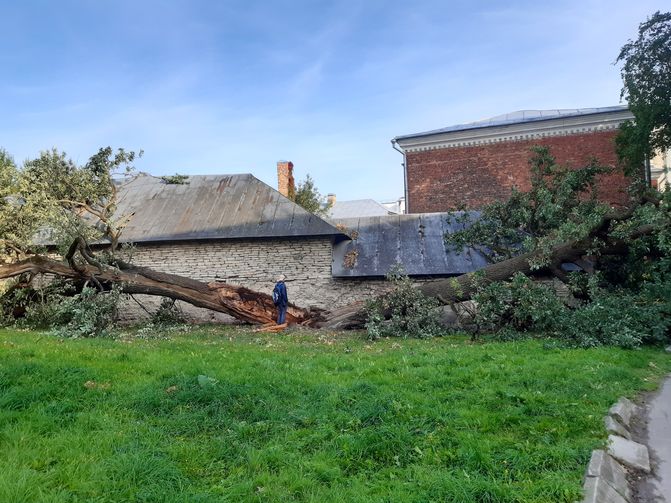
[445, 178]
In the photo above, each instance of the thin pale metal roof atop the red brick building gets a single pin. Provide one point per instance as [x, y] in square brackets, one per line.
[519, 117]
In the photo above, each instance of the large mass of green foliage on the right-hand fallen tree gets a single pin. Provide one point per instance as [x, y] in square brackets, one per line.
[624, 301]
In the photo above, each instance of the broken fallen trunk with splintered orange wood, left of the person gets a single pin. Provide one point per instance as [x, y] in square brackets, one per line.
[241, 303]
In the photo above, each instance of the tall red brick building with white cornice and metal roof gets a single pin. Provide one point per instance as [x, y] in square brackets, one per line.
[474, 164]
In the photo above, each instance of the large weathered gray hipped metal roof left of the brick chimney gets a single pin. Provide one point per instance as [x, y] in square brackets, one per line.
[212, 207]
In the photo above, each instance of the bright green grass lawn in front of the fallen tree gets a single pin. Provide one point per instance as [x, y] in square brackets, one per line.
[304, 417]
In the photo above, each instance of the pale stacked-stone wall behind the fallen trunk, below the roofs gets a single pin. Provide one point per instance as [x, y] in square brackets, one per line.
[254, 264]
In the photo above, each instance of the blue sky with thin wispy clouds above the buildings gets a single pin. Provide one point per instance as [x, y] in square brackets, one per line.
[222, 87]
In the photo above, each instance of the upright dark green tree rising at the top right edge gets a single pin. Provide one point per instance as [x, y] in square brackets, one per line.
[646, 76]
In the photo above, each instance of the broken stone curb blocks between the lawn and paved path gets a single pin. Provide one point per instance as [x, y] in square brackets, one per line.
[606, 475]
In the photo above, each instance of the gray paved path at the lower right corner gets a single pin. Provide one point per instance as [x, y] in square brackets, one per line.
[658, 486]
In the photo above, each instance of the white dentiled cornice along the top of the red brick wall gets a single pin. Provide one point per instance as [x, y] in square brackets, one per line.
[559, 126]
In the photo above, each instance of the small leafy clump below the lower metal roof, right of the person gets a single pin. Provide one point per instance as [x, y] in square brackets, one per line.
[402, 312]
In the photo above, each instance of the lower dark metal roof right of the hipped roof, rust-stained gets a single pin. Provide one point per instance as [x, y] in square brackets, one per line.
[415, 241]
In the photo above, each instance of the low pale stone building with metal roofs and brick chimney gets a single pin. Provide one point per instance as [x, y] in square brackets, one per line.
[237, 229]
